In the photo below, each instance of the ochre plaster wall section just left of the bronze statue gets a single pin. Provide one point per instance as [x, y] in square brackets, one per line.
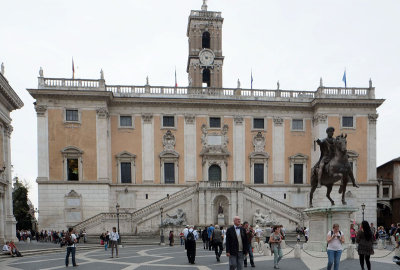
[297, 142]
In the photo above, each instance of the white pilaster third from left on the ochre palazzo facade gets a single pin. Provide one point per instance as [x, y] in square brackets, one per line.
[148, 148]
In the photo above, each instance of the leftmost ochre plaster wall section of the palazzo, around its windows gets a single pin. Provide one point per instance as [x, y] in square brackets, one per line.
[82, 136]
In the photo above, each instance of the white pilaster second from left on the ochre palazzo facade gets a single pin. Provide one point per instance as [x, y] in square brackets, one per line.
[102, 134]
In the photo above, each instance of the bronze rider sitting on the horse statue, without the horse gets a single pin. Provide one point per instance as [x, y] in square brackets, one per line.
[327, 147]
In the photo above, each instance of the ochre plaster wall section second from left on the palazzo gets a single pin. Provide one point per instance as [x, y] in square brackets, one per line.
[130, 140]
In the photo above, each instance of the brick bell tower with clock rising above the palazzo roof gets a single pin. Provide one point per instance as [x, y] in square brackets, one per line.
[205, 60]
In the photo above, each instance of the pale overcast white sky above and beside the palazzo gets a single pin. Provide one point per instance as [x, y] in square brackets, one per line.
[295, 42]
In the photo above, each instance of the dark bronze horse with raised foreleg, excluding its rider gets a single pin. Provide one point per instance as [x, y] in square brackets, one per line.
[337, 169]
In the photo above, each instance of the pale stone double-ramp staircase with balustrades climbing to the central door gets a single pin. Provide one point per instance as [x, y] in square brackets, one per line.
[151, 212]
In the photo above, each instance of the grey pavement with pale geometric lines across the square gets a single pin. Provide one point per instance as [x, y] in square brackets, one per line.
[165, 257]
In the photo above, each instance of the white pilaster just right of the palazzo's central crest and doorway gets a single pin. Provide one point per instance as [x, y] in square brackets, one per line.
[239, 149]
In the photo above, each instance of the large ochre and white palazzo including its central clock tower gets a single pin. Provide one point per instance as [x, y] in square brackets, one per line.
[153, 149]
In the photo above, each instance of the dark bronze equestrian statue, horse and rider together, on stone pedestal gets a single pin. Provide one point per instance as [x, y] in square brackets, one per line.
[332, 166]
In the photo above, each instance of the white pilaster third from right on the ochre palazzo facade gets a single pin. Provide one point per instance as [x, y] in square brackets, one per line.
[278, 150]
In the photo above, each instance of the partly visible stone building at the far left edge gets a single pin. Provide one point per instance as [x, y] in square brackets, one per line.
[9, 101]
